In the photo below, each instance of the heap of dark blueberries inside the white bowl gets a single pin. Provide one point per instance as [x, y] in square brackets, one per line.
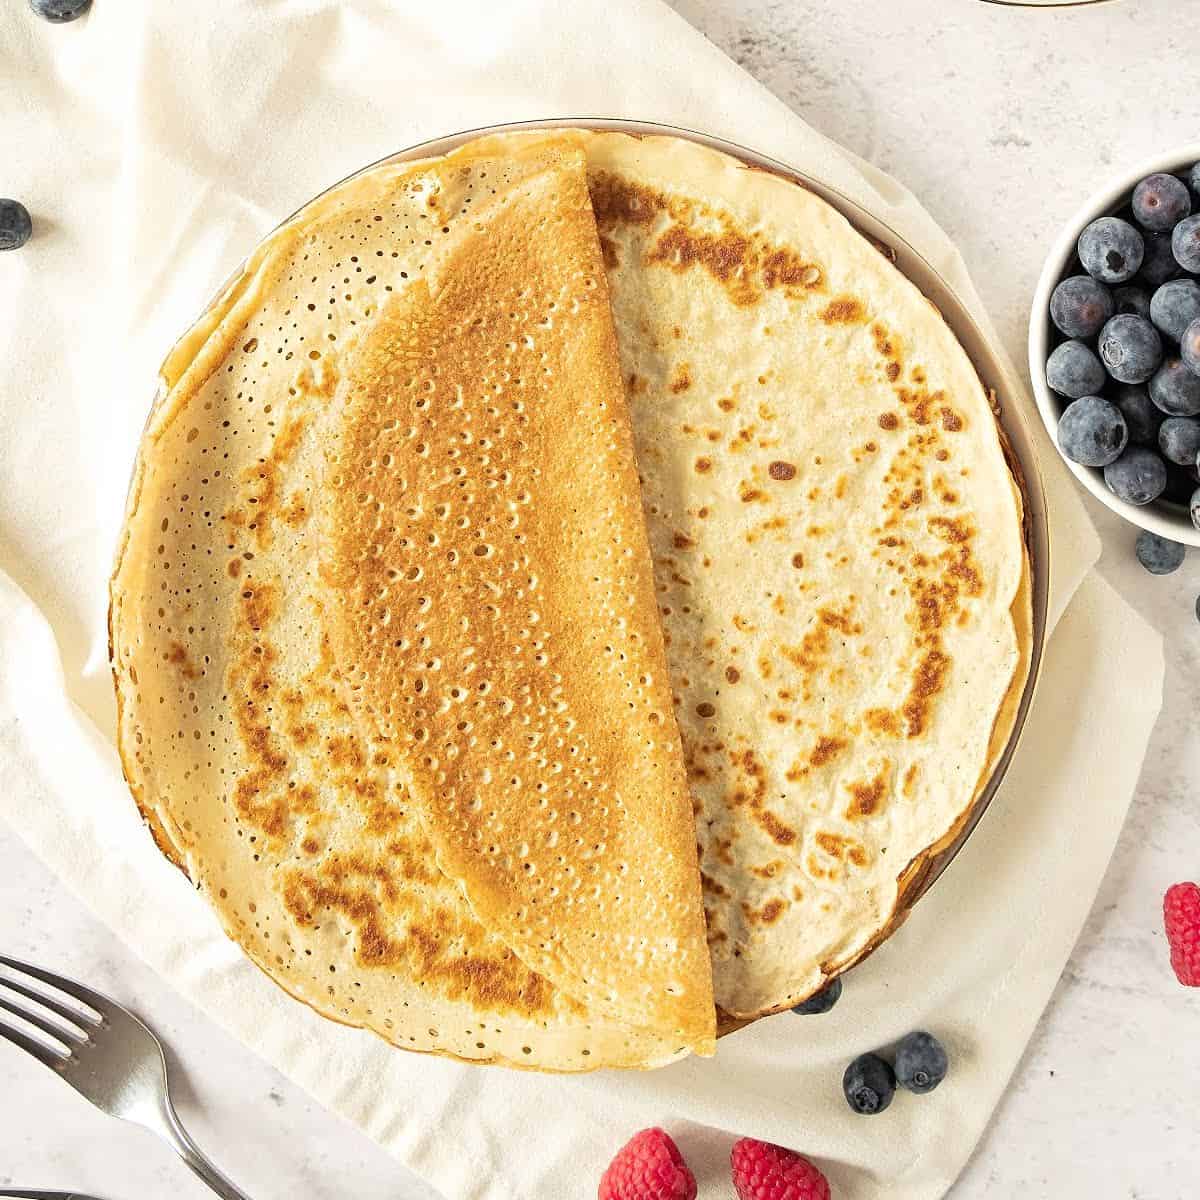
[1127, 361]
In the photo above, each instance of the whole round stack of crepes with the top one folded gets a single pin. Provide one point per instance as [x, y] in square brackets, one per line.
[571, 587]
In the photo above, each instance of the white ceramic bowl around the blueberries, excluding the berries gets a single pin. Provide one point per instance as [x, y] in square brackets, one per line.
[1161, 518]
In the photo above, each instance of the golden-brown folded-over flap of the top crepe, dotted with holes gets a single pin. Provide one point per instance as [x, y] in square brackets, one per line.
[491, 603]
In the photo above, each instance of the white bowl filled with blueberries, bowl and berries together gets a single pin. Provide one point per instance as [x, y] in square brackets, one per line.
[1115, 346]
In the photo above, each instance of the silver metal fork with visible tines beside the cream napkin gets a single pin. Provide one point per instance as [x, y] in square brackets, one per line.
[105, 1053]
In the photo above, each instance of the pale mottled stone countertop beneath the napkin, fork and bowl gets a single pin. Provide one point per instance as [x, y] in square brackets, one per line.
[1001, 121]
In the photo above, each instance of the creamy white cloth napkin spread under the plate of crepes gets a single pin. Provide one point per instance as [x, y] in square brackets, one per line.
[155, 145]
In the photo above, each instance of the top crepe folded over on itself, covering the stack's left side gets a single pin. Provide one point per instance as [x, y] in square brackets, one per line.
[425, 772]
